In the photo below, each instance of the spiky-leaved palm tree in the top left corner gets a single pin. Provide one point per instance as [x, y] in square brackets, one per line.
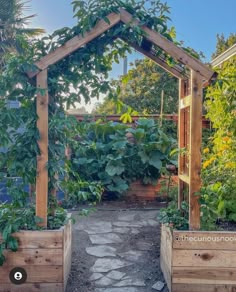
[13, 26]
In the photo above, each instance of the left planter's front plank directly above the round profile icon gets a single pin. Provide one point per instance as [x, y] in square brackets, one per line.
[26, 257]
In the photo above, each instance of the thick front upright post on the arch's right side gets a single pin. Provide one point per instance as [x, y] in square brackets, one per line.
[195, 149]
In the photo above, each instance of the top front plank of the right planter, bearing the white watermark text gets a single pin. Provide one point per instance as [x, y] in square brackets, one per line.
[221, 240]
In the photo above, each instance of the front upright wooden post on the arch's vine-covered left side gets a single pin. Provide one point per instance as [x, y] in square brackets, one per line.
[42, 160]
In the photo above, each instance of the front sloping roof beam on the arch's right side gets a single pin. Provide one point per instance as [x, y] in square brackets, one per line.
[179, 54]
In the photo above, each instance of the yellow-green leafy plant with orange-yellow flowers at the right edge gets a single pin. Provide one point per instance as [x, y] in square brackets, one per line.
[219, 167]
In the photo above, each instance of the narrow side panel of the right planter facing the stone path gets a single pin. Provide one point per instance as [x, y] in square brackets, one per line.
[166, 255]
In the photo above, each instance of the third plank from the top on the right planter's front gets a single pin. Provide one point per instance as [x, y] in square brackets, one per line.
[204, 275]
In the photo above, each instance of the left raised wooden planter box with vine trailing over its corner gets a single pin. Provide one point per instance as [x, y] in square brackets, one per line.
[46, 258]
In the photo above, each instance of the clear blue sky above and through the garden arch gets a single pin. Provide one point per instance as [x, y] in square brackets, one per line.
[197, 22]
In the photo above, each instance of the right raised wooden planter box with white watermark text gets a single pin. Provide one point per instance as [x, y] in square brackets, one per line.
[198, 261]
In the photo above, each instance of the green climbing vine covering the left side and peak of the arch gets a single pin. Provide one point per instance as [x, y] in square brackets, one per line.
[83, 74]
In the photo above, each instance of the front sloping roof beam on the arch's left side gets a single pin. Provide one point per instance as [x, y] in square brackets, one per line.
[76, 43]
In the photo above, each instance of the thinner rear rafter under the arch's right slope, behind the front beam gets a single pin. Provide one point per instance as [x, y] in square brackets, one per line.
[162, 64]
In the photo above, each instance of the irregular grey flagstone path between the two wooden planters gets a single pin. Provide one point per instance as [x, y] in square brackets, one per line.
[116, 251]
